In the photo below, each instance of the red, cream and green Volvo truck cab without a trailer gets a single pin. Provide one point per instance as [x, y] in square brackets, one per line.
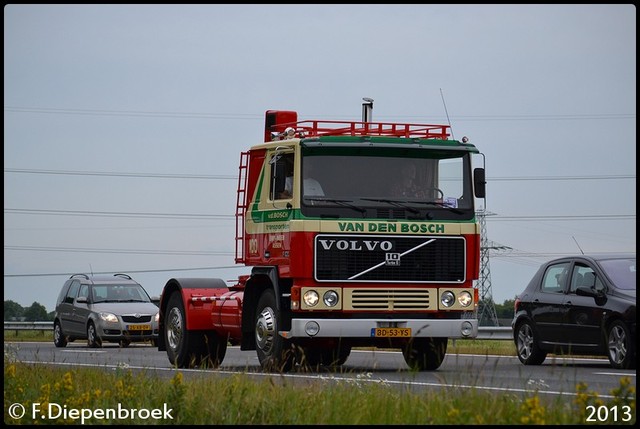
[358, 234]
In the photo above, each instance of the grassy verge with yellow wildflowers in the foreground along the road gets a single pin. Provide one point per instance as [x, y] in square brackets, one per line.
[219, 399]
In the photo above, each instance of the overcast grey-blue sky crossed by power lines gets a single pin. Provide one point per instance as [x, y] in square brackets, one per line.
[123, 124]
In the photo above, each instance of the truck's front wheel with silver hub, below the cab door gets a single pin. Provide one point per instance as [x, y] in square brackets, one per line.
[274, 352]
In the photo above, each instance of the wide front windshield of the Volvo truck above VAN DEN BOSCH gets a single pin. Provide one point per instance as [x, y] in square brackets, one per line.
[379, 181]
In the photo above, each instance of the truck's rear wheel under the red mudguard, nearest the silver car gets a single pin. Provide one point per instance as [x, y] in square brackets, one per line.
[188, 349]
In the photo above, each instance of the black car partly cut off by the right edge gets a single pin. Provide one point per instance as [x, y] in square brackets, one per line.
[579, 305]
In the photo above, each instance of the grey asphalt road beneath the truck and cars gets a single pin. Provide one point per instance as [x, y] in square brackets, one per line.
[498, 374]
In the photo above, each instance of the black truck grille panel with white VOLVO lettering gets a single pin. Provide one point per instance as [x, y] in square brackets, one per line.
[378, 258]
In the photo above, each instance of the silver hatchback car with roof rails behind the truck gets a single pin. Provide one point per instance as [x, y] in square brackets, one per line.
[104, 308]
